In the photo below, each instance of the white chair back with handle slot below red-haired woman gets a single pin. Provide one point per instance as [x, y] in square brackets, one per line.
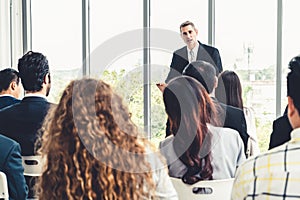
[208, 190]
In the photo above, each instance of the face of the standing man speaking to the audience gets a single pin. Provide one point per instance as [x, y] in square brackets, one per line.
[189, 36]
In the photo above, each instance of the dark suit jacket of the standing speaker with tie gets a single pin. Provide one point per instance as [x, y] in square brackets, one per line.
[205, 53]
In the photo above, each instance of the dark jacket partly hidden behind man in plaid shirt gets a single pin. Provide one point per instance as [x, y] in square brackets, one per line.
[281, 132]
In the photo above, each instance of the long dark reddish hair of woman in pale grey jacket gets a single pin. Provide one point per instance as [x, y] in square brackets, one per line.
[189, 109]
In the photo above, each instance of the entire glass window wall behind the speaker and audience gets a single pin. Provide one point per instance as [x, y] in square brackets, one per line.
[245, 34]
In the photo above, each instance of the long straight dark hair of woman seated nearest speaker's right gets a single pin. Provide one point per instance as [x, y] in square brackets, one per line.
[229, 89]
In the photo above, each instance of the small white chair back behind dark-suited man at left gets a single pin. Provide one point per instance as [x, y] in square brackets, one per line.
[33, 165]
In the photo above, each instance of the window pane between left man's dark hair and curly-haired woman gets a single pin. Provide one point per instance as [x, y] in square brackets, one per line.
[56, 32]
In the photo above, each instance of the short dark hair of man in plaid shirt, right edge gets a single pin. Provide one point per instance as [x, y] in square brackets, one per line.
[293, 81]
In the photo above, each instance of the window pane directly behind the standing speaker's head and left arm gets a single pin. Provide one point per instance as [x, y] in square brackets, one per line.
[166, 17]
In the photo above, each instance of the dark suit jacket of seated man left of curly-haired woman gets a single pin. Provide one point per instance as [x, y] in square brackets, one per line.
[21, 122]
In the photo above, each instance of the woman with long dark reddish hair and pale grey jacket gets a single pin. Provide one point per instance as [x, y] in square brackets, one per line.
[198, 149]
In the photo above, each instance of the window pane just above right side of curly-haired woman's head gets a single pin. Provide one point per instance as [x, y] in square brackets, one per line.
[116, 50]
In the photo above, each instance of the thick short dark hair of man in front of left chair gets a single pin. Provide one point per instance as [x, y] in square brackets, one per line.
[33, 67]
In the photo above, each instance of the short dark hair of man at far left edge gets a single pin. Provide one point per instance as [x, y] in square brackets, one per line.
[7, 76]
